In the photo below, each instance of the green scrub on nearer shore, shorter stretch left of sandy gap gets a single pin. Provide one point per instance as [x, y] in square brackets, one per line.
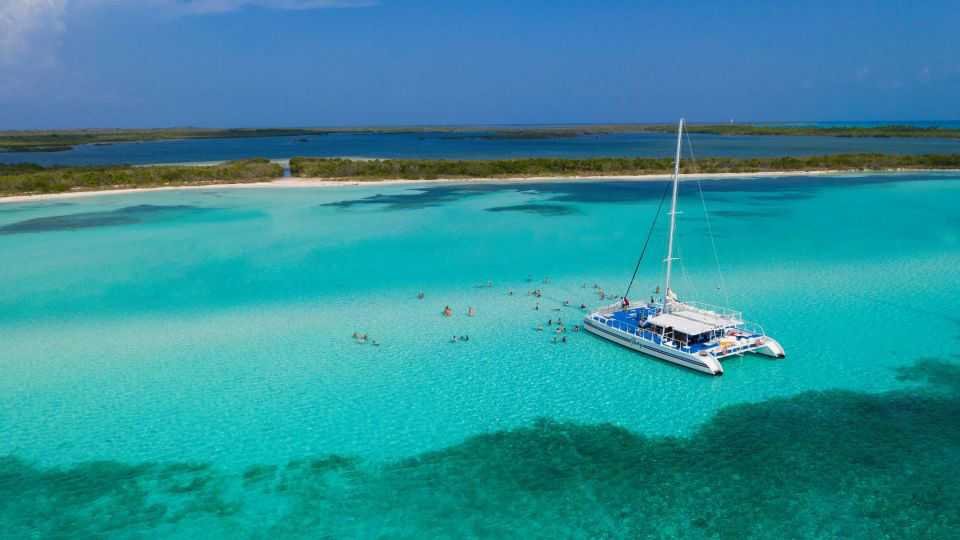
[25, 179]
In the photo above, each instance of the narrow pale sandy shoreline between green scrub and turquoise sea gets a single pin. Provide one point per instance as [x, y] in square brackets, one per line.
[322, 182]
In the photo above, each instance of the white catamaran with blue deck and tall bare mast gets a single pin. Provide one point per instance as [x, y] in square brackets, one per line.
[691, 334]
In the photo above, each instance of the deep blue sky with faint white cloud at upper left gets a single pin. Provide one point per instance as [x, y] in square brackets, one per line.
[223, 63]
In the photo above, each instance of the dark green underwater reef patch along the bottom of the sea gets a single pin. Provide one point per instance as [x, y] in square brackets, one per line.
[820, 464]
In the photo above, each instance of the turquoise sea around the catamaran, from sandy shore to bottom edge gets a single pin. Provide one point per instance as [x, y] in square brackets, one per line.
[180, 363]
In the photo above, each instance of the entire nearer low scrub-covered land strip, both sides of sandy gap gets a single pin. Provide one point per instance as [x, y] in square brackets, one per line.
[29, 179]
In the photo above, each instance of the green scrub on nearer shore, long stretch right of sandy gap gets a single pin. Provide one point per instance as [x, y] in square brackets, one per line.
[429, 169]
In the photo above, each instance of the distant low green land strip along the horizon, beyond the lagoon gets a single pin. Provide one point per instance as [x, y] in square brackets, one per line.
[58, 140]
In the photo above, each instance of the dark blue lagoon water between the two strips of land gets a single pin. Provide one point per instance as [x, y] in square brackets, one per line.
[454, 146]
